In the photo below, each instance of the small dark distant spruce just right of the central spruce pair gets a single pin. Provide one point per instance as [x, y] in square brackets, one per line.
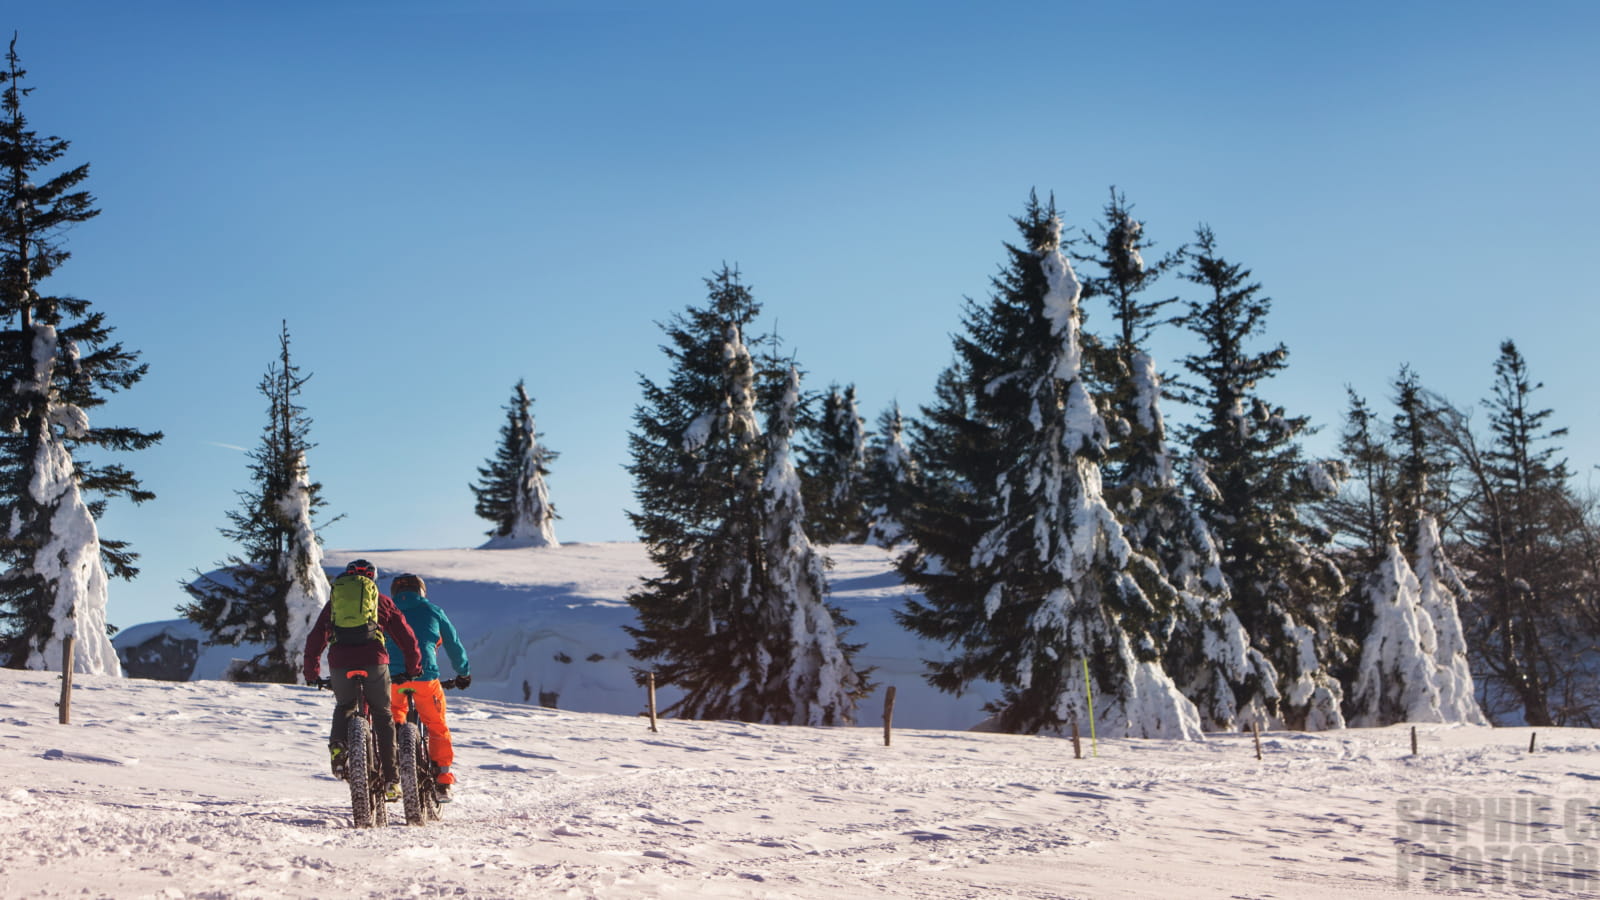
[834, 464]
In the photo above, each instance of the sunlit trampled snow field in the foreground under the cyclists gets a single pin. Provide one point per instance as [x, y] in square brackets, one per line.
[214, 790]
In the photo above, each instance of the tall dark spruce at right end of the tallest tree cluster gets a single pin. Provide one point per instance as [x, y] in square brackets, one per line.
[1284, 587]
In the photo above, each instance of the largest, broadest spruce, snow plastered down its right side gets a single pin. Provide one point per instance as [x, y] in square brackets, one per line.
[1052, 589]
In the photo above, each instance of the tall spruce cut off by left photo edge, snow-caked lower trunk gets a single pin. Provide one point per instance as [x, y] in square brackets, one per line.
[58, 364]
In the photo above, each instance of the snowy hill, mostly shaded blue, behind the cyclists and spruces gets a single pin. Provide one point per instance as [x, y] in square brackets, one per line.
[548, 624]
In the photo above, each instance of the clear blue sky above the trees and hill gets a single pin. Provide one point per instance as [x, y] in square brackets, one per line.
[446, 198]
